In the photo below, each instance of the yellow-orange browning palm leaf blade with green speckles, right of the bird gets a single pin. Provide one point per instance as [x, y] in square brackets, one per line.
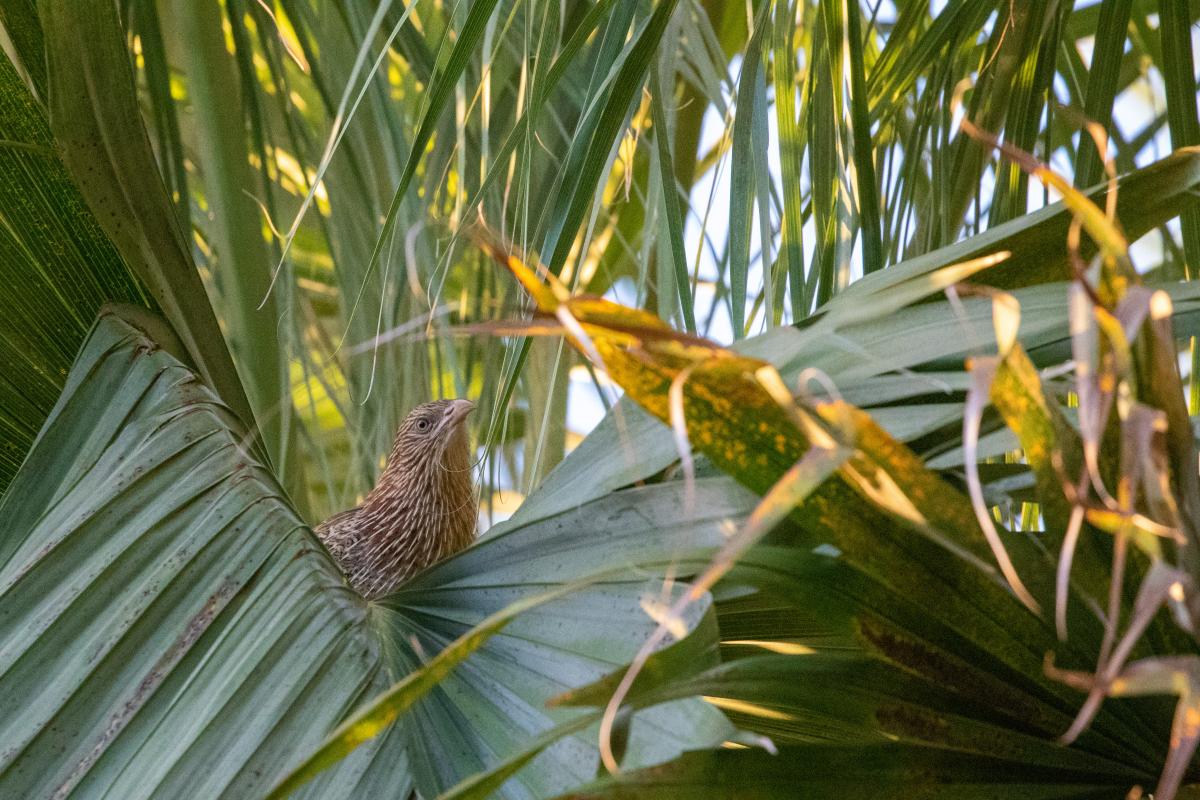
[737, 411]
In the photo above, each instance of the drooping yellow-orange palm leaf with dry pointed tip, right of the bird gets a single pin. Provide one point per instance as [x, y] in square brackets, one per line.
[740, 413]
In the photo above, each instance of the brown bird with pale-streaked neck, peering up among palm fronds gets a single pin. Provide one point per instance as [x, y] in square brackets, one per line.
[422, 510]
